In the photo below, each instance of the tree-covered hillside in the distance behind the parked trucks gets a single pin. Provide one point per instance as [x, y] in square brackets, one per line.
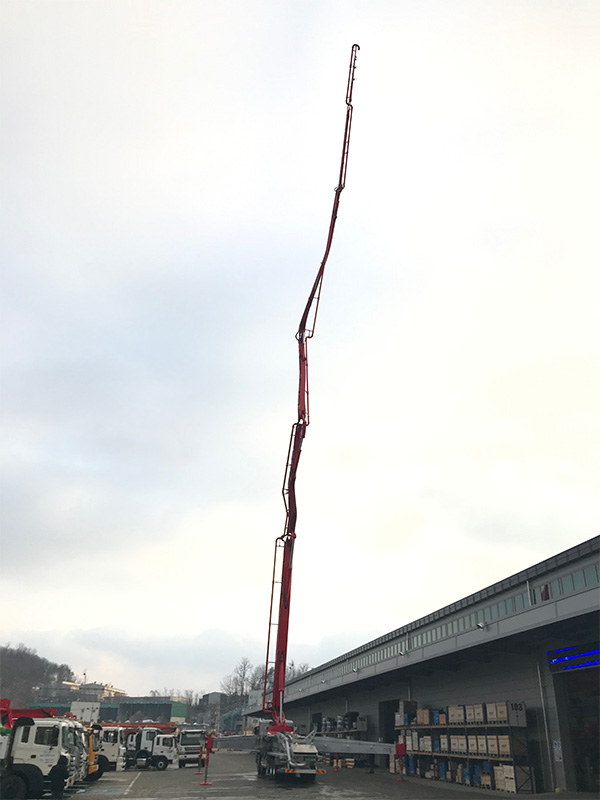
[22, 670]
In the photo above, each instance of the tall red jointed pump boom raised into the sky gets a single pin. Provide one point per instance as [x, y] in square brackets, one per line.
[284, 544]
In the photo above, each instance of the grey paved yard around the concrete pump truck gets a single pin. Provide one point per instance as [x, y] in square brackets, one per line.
[233, 777]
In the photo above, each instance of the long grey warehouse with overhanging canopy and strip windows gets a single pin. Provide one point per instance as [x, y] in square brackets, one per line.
[528, 642]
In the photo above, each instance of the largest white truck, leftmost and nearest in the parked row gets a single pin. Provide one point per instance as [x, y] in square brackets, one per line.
[32, 748]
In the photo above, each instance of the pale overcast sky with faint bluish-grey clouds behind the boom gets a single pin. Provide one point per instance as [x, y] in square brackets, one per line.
[168, 170]
